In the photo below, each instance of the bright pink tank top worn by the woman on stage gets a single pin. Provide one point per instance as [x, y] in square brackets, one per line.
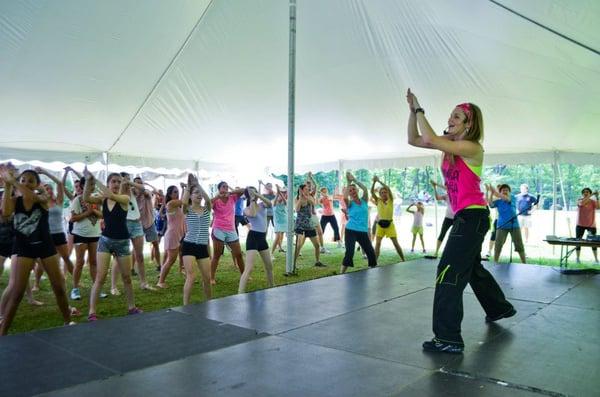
[462, 184]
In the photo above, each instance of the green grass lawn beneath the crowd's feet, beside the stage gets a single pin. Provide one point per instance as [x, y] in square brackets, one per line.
[39, 317]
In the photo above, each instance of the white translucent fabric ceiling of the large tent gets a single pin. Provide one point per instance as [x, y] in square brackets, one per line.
[84, 77]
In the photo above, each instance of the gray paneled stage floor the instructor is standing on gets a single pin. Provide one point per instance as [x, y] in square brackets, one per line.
[358, 334]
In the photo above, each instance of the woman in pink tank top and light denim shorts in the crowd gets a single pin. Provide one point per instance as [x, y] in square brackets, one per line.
[223, 231]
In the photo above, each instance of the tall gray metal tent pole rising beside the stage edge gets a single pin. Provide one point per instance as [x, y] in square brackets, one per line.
[290, 266]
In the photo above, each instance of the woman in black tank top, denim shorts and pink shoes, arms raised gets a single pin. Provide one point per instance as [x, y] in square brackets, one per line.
[114, 239]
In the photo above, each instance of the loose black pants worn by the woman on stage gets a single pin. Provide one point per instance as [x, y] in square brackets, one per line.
[461, 264]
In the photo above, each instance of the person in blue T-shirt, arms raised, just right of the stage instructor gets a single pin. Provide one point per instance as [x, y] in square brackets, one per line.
[507, 221]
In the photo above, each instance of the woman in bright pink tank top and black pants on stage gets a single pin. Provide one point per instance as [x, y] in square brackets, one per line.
[460, 263]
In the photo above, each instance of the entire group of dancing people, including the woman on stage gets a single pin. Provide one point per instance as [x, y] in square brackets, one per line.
[111, 222]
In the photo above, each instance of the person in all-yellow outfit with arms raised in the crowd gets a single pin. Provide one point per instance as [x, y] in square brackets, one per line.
[385, 216]
